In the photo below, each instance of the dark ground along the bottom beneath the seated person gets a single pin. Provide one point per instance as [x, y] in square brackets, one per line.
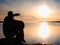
[14, 42]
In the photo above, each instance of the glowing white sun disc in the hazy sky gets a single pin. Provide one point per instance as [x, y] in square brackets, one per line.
[44, 11]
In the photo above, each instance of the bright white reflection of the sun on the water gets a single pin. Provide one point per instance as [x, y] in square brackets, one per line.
[43, 31]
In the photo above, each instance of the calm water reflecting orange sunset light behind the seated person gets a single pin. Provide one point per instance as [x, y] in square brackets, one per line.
[42, 32]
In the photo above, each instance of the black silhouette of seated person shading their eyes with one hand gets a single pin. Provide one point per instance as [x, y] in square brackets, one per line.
[13, 27]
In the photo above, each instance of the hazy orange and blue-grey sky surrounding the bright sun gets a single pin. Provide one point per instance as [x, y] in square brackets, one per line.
[28, 8]
